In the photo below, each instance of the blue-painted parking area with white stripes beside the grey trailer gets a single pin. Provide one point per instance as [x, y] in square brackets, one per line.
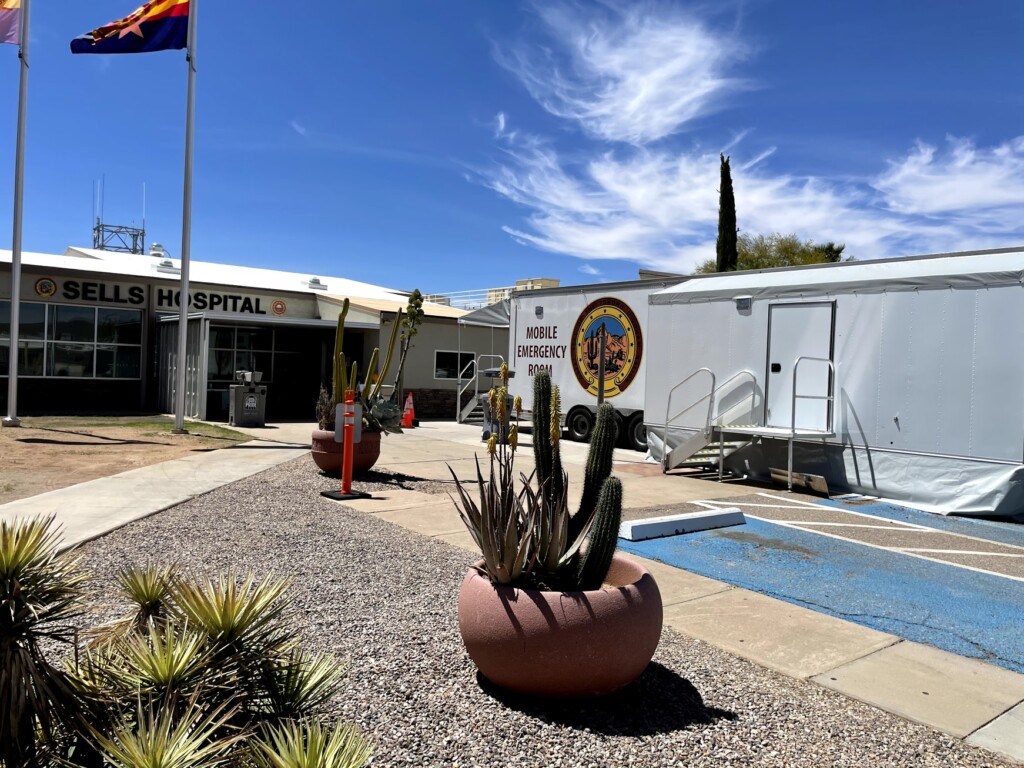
[929, 581]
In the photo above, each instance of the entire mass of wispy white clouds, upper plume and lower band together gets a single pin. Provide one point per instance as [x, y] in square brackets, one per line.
[647, 202]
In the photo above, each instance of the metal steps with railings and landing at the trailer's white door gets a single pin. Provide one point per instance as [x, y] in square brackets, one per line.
[720, 437]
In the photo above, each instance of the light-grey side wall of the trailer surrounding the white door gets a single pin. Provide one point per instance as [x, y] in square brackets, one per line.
[929, 359]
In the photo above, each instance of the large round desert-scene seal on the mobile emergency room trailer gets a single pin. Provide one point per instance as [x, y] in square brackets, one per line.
[623, 347]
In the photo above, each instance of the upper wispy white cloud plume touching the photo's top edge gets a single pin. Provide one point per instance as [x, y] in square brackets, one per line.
[624, 73]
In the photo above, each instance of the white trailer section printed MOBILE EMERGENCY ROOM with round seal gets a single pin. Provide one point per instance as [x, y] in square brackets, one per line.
[560, 330]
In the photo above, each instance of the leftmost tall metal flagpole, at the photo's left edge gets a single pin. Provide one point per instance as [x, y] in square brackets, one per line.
[16, 266]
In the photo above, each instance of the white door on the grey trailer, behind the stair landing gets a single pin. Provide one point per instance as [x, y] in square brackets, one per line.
[796, 331]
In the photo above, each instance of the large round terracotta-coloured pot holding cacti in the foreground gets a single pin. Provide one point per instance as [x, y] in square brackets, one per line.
[563, 644]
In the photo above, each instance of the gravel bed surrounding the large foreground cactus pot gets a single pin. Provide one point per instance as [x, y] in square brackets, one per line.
[386, 599]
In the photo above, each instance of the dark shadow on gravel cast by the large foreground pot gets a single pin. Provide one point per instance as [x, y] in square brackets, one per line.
[661, 702]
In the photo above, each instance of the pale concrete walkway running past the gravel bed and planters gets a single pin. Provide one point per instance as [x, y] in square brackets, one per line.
[964, 698]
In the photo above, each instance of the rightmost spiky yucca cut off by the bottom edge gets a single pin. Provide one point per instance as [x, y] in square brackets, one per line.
[310, 745]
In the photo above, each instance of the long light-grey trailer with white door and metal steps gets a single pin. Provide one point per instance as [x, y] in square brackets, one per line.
[901, 378]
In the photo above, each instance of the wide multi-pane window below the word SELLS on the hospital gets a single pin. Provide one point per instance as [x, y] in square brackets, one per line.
[72, 342]
